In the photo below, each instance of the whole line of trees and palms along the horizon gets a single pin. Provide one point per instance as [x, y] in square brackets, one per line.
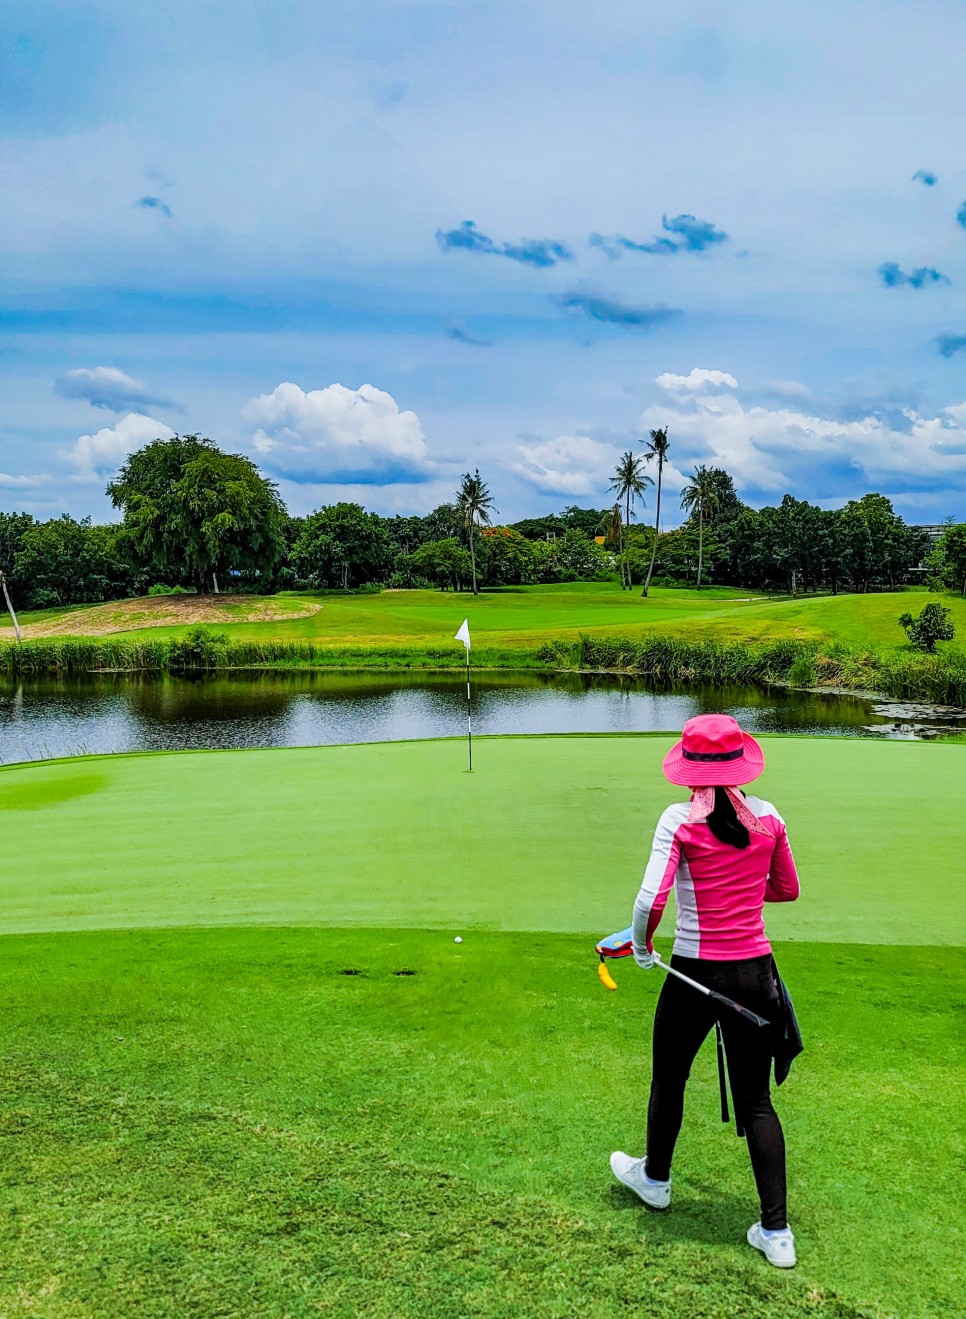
[193, 518]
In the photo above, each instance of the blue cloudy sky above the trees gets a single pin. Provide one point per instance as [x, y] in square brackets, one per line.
[375, 243]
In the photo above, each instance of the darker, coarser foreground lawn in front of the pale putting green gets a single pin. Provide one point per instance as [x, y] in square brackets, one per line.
[222, 1123]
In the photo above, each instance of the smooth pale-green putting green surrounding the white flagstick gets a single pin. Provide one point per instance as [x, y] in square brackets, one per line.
[548, 834]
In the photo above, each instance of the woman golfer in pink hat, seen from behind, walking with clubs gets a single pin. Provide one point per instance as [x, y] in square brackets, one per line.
[726, 854]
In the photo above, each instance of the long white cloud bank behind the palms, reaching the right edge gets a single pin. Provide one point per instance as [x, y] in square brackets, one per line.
[773, 449]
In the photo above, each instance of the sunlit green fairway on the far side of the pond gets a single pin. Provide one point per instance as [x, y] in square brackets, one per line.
[526, 617]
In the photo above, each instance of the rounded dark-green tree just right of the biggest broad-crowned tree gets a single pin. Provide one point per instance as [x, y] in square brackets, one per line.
[344, 545]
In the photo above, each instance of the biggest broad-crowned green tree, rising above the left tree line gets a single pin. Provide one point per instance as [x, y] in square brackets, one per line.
[195, 514]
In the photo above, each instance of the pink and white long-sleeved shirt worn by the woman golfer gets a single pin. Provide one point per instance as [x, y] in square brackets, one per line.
[720, 891]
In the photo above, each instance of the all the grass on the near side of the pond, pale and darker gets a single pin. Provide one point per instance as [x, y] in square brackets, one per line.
[222, 1123]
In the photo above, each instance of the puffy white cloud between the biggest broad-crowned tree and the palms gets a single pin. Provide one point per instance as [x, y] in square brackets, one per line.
[338, 436]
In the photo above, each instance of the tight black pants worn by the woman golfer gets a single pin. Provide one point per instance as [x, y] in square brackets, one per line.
[683, 1022]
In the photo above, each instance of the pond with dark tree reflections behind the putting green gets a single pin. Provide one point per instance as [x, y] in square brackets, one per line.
[121, 713]
